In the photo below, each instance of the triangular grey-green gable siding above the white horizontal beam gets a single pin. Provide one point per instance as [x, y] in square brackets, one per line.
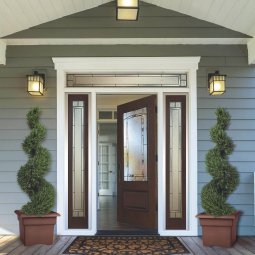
[153, 22]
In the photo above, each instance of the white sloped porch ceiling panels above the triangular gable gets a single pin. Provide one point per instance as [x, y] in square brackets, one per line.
[17, 15]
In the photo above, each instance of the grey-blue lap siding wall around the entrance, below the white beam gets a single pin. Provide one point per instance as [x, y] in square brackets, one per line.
[15, 102]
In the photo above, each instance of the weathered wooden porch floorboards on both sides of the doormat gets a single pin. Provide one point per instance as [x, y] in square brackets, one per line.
[11, 245]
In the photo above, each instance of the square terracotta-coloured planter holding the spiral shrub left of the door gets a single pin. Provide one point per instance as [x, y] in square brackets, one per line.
[36, 229]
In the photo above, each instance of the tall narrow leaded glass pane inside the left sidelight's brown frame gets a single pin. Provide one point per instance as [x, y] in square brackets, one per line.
[78, 159]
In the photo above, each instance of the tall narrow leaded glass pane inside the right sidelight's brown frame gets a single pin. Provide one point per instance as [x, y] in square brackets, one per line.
[175, 170]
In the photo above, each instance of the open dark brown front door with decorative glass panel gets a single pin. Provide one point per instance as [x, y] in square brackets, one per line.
[137, 174]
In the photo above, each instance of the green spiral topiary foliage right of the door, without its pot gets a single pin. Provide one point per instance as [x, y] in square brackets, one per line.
[225, 177]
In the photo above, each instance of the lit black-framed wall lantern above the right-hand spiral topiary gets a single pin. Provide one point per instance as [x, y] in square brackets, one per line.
[216, 83]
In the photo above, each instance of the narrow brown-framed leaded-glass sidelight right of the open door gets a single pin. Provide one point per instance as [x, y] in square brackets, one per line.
[175, 162]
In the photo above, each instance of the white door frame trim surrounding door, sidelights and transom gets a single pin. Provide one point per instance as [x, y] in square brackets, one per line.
[126, 65]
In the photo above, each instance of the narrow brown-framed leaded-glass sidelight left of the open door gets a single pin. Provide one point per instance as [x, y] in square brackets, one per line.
[78, 161]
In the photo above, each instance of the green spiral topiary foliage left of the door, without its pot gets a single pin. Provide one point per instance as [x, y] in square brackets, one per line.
[30, 176]
